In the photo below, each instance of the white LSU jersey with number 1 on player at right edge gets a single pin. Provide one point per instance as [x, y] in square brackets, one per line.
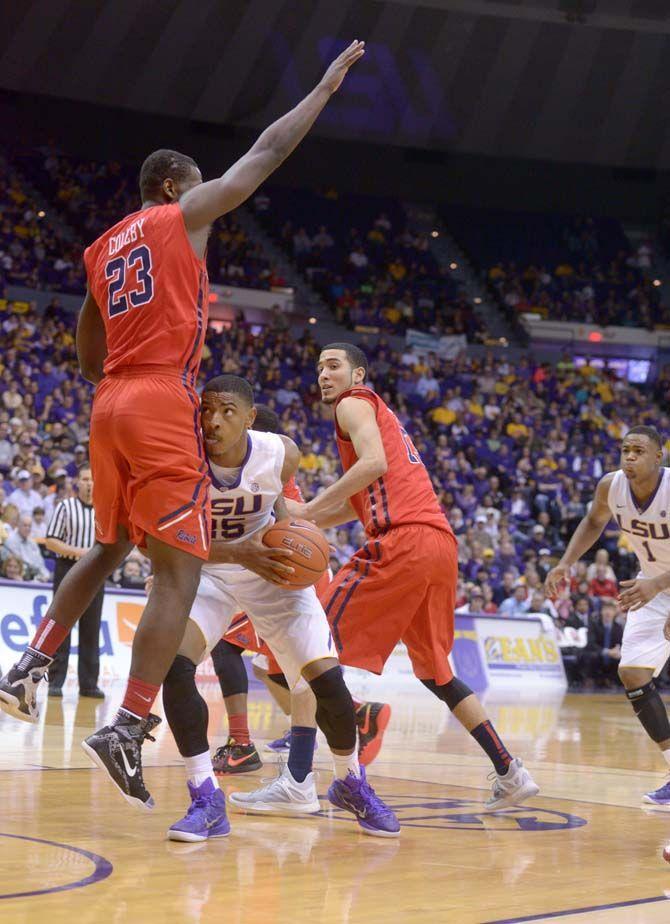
[648, 527]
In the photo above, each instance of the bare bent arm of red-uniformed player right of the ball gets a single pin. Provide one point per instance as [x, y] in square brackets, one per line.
[355, 417]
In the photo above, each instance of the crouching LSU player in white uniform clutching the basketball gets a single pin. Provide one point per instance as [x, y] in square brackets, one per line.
[248, 470]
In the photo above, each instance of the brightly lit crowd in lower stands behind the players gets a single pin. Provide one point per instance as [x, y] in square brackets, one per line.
[514, 452]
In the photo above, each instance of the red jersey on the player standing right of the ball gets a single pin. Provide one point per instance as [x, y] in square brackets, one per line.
[404, 495]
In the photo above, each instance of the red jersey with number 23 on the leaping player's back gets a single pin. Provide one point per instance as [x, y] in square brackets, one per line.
[152, 291]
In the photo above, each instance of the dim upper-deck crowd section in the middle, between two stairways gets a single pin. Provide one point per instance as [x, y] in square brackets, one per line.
[374, 271]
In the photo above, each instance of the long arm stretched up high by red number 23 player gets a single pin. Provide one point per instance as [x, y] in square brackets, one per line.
[206, 202]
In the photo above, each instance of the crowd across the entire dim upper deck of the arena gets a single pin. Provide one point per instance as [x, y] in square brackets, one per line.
[359, 252]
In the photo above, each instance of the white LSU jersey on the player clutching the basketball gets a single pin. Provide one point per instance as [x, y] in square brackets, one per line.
[242, 507]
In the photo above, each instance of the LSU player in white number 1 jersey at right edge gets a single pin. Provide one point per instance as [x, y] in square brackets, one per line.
[637, 497]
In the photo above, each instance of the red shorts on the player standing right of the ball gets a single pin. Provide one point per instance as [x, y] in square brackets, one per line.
[400, 586]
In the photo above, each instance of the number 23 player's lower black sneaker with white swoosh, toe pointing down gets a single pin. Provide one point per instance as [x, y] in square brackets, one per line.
[117, 749]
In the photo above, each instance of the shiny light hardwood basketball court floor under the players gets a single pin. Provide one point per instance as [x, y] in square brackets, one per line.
[584, 850]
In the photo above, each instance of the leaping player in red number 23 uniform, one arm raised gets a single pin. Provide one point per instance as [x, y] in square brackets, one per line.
[139, 339]
